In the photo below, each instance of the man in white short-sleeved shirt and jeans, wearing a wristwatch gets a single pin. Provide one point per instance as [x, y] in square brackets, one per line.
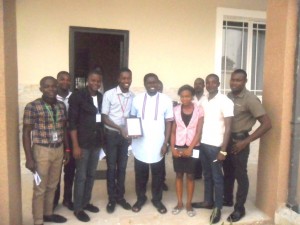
[218, 113]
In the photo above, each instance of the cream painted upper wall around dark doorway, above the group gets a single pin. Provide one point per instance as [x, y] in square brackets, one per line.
[172, 38]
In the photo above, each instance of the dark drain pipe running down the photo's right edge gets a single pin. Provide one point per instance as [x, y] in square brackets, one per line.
[292, 201]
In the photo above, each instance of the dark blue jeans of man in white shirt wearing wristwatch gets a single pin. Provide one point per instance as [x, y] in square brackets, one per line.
[213, 175]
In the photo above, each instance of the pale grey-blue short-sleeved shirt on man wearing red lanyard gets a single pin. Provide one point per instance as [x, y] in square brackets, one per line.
[117, 105]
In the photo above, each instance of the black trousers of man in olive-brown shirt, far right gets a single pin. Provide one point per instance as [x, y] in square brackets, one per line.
[235, 168]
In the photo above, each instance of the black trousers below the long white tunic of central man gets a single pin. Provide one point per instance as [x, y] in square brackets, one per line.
[141, 179]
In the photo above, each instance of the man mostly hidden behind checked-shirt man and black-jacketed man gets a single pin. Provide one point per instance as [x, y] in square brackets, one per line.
[63, 94]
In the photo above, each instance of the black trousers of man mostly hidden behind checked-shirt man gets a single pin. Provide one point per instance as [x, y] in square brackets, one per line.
[69, 173]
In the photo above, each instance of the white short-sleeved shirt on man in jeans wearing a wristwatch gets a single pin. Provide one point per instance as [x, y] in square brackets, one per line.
[215, 110]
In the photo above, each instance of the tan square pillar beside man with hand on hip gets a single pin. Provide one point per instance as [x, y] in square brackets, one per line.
[273, 167]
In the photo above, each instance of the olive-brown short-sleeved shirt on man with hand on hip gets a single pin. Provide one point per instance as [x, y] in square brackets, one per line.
[247, 107]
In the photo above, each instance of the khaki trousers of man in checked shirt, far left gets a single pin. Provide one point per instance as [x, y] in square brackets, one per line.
[48, 166]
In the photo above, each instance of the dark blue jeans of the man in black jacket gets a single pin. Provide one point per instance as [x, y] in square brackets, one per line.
[84, 177]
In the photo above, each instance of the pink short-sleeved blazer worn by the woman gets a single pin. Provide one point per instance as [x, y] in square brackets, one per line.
[185, 135]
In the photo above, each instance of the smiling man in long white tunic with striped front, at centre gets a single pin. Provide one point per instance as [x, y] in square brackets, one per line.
[156, 112]
